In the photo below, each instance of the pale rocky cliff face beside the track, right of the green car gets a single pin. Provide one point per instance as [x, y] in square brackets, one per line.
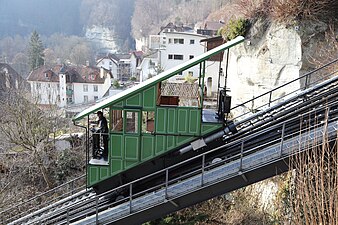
[271, 55]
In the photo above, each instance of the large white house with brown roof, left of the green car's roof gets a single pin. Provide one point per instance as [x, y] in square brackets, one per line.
[67, 85]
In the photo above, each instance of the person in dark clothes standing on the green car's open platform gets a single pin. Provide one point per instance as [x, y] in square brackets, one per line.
[101, 133]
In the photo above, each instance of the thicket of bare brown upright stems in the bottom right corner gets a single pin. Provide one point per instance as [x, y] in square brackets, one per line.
[310, 193]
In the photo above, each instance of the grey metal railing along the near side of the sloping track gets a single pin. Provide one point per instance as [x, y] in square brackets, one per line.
[206, 166]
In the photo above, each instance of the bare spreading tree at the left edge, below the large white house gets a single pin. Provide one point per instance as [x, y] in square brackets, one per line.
[26, 126]
